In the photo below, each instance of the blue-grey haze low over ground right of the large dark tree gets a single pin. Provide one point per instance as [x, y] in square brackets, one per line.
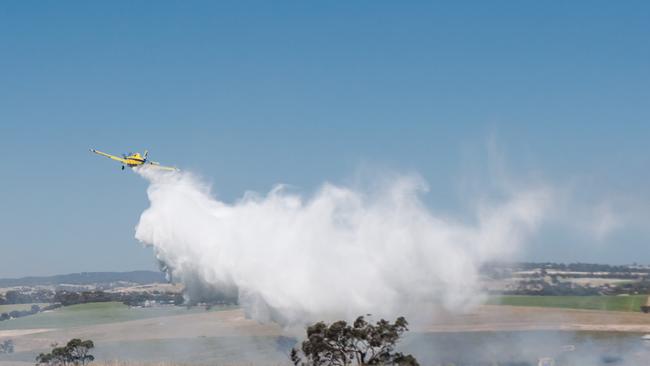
[528, 348]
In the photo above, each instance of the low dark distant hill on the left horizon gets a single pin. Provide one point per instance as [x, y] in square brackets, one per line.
[87, 278]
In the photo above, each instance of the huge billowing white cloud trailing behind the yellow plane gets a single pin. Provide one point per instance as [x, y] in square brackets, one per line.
[339, 253]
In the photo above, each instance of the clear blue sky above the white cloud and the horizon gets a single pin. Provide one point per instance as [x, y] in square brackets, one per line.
[249, 94]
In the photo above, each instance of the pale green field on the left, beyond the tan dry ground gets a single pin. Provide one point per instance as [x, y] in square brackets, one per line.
[92, 314]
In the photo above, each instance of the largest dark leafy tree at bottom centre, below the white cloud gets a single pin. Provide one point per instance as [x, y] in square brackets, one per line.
[361, 343]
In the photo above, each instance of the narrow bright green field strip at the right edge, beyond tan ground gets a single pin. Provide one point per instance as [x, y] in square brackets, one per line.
[612, 303]
